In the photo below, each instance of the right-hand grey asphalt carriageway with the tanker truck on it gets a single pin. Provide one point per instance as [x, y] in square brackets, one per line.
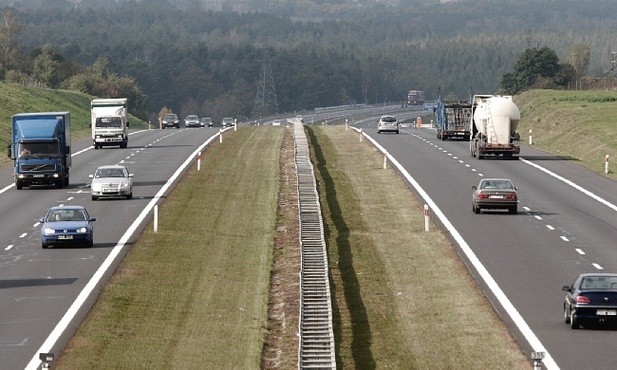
[566, 225]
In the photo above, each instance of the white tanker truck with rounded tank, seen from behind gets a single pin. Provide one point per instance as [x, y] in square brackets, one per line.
[494, 120]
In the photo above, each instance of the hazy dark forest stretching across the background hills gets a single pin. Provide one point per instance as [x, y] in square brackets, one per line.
[220, 62]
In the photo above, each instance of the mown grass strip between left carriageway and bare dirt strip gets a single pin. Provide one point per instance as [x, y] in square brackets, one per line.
[194, 295]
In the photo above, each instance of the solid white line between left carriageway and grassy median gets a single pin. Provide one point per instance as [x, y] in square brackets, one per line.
[51, 340]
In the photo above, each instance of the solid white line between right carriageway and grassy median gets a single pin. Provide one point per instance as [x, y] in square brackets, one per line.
[516, 317]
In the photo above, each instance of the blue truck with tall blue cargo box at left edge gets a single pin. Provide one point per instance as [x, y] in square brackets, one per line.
[40, 149]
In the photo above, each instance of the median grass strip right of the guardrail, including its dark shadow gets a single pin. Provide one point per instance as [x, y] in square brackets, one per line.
[402, 298]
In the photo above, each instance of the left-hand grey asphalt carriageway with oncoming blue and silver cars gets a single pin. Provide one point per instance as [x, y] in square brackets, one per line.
[39, 286]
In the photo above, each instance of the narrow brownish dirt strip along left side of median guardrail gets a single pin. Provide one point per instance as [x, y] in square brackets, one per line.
[281, 344]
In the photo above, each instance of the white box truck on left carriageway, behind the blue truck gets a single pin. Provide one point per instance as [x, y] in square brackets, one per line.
[109, 122]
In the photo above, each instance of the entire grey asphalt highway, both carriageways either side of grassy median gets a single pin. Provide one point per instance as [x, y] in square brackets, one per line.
[566, 225]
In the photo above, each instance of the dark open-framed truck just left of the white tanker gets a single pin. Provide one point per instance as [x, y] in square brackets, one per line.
[453, 119]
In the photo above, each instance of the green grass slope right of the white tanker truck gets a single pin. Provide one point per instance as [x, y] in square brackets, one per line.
[577, 125]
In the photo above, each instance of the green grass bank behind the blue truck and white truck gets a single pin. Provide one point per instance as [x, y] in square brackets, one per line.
[15, 98]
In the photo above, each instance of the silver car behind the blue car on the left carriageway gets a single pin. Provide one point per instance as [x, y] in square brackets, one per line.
[112, 181]
